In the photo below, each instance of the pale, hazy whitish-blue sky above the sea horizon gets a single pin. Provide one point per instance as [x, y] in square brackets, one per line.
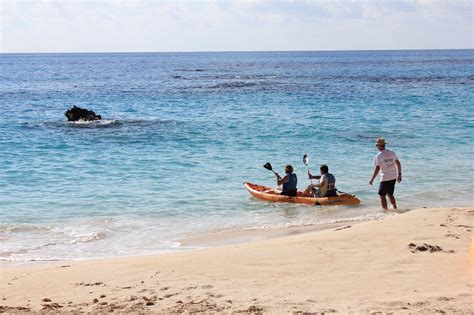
[233, 25]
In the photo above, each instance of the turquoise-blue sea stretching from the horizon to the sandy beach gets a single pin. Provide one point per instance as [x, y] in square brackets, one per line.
[183, 131]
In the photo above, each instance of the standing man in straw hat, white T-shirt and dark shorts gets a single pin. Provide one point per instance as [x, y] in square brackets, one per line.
[387, 163]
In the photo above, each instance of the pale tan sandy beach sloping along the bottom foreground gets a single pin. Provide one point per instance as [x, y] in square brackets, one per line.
[418, 261]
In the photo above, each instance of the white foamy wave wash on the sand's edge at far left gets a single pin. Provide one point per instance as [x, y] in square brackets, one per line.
[86, 238]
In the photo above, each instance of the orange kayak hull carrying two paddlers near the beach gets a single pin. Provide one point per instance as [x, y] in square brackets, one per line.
[260, 192]
